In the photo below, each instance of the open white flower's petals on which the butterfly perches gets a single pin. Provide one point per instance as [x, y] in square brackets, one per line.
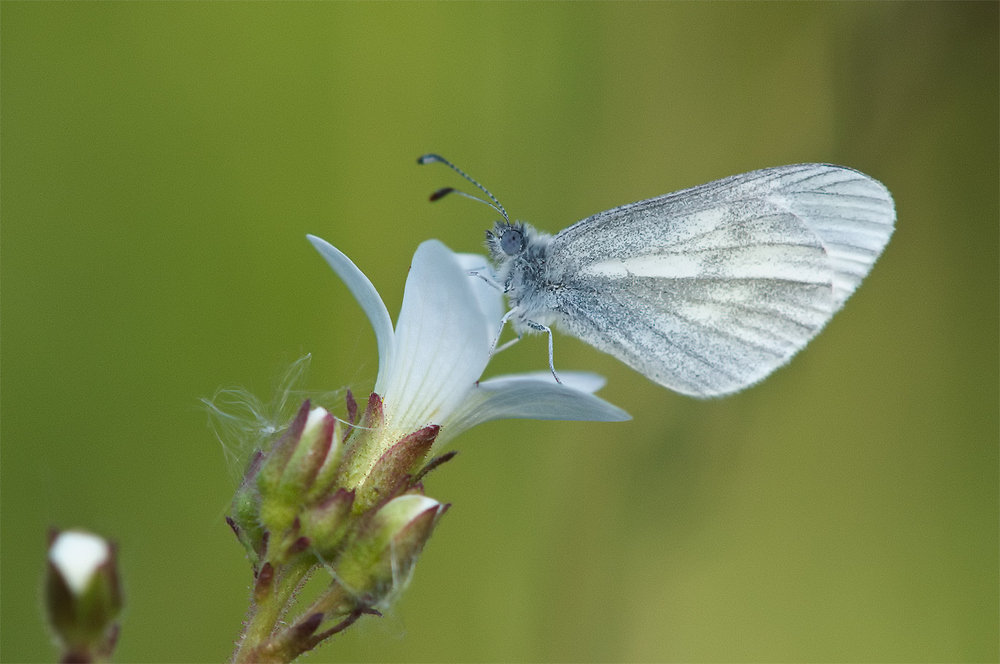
[430, 365]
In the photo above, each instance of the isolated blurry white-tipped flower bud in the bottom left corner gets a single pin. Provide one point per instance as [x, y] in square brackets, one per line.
[83, 596]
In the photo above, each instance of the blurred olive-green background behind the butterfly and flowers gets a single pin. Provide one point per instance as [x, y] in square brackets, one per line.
[161, 164]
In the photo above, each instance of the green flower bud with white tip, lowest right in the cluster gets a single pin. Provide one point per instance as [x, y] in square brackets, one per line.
[379, 560]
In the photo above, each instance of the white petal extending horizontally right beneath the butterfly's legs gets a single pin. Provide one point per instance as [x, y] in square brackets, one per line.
[528, 397]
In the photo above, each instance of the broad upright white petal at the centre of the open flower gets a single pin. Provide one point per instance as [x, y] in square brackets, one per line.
[441, 345]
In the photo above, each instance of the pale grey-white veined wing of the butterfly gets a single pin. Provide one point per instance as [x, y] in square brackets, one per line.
[710, 289]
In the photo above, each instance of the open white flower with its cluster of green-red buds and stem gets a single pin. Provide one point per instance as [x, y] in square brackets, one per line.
[348, 495]
